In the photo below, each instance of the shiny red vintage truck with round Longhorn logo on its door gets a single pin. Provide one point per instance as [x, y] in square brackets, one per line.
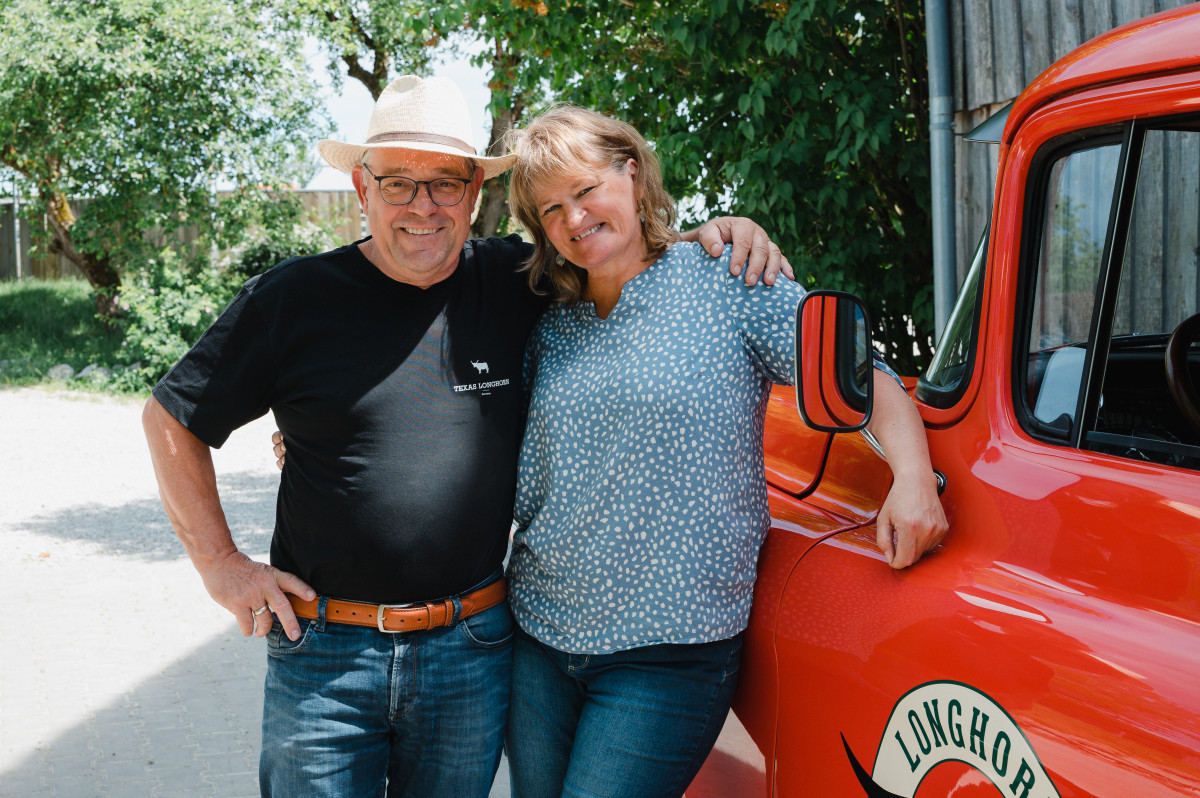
[1052, 645]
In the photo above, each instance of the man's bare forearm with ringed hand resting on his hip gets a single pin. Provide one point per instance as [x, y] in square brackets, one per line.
[188, 484]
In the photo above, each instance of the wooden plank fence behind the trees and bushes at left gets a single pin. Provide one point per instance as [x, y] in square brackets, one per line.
[17, 259]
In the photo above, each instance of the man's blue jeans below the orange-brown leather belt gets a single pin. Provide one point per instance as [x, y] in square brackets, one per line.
[356, 712]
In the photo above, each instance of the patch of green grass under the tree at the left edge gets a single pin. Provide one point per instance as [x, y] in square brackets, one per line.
[47, 323]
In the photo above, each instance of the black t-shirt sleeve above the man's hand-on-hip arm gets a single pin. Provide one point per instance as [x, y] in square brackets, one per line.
[224, 381]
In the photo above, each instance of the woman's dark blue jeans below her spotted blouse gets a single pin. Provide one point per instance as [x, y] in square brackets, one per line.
[635, 724]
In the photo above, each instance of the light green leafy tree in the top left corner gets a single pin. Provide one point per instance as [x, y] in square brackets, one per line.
[146, 109]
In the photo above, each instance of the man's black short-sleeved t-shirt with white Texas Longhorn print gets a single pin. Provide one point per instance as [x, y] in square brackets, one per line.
[403, 411]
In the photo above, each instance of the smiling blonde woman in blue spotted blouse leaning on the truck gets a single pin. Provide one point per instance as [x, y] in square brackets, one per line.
[643, 502]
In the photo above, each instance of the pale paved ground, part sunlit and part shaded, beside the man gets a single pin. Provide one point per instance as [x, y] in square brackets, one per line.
[118, 675]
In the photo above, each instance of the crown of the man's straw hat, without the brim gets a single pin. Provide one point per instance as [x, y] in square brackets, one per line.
[422, 110]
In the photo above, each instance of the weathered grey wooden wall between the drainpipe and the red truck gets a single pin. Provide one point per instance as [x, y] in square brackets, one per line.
[999, 47]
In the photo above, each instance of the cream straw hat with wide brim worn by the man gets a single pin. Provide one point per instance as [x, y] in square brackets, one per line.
[428, 115]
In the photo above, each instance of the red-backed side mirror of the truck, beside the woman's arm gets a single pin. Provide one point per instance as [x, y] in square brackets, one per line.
[833, 362]
